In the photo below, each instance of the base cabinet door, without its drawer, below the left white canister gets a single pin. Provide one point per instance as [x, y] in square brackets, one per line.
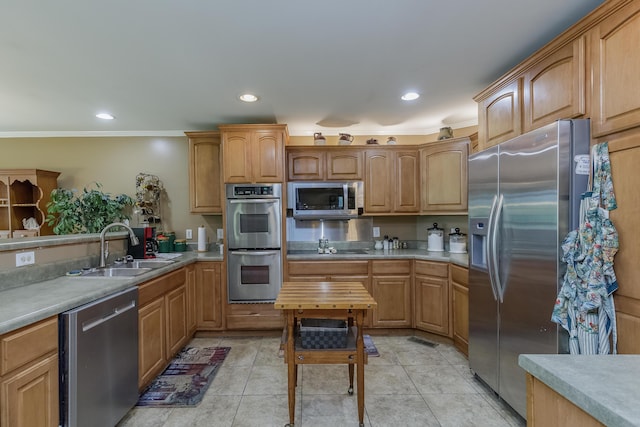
[432, 304]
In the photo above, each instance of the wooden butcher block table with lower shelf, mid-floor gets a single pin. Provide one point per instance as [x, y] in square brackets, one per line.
[325, 300]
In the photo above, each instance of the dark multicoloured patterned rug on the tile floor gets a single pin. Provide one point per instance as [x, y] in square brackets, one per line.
[186, 379]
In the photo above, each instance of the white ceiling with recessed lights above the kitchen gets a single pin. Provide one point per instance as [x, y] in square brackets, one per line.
[164, 67]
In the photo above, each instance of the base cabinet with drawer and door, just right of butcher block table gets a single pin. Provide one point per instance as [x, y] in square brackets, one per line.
[391, 288]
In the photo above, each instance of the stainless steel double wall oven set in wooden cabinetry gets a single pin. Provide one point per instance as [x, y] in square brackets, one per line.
[254, 236]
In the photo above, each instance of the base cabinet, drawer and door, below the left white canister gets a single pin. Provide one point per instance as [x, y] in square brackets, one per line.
[431, 297]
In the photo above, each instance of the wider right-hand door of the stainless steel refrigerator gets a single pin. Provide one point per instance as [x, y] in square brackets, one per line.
[528, 253]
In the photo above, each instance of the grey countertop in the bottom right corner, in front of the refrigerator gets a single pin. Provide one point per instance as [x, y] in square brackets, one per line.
[604, 386]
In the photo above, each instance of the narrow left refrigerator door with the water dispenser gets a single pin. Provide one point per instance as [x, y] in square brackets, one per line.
[483, 308]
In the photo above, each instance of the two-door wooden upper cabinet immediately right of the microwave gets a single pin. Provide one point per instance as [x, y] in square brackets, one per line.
[392, 181]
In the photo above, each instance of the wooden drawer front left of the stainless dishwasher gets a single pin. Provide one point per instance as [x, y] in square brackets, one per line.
[27, 344]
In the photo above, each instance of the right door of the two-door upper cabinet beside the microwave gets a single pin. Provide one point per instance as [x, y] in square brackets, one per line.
[407, 181]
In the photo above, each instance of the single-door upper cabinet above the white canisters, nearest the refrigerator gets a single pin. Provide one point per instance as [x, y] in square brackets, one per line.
[444, 176]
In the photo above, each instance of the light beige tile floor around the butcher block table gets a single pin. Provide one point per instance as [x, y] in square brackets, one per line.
[410, 384]
